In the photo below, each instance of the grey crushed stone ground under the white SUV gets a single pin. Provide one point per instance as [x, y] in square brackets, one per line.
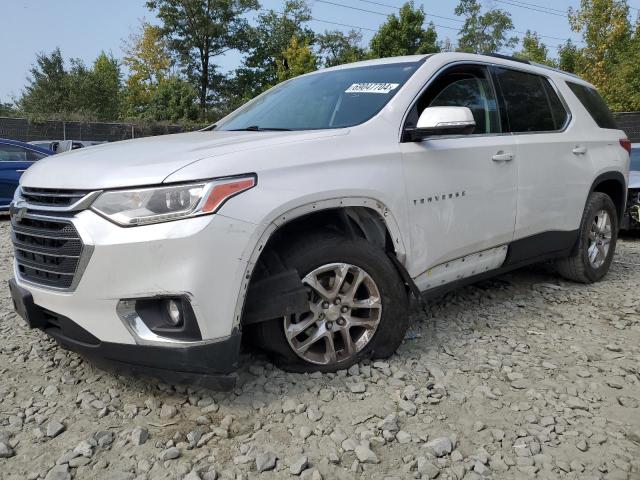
[524, 376]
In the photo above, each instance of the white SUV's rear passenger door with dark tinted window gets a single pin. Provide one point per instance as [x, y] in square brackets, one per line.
[550, 157]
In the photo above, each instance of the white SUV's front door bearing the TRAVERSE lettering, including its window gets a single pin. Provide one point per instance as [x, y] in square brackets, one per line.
[461, 190]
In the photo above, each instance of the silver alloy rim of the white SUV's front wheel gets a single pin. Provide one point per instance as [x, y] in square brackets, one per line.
[344, 313]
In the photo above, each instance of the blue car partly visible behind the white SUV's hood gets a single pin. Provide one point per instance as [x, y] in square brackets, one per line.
[15, 158]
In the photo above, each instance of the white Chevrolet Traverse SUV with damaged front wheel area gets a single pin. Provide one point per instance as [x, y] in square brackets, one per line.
[306, 220]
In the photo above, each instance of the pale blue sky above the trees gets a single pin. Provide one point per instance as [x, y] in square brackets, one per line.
[82, 28]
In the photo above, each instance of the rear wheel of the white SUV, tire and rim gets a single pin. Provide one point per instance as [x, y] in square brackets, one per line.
[596, 245]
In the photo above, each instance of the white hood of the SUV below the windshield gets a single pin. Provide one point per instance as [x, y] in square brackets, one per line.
[151, 160]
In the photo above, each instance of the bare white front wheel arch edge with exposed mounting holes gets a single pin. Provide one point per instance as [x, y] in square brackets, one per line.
[252, 253]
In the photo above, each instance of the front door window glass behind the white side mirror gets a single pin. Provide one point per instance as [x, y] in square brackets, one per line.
[462, 86]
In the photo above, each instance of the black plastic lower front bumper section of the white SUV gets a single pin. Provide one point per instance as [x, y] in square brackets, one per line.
[208, 364]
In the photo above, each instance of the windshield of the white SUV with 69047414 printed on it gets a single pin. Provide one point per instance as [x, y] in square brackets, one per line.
[333, 99]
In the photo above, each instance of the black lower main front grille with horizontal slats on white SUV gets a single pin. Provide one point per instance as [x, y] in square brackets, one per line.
[48, 250]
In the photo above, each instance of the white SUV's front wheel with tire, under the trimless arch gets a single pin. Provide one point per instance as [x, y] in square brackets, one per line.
[357, 306]
